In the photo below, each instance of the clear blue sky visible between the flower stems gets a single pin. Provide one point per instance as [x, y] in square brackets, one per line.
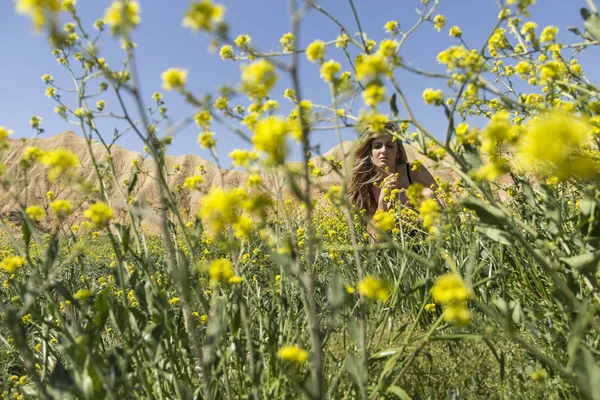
[164, 43]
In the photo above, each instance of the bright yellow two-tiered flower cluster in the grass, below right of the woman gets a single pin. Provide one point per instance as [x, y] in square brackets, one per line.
[450, 291]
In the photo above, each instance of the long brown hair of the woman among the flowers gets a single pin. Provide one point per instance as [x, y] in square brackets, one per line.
[363, 173]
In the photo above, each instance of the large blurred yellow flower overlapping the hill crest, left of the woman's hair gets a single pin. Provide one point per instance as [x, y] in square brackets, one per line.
[269, 137]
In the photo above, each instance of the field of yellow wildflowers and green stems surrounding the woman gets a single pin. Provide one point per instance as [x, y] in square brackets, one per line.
[280, 292]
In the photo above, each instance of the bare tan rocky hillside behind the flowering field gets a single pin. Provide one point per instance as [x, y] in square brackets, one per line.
[32, 187]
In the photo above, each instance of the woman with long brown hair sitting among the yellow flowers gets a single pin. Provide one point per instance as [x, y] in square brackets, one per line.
[380, 163]
